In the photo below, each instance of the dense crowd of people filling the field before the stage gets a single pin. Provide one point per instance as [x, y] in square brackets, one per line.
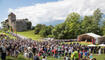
[31, 49]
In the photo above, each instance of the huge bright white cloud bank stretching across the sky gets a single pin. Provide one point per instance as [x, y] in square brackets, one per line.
[52, 11]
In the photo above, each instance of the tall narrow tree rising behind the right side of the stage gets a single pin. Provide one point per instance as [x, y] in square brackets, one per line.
[97, 16]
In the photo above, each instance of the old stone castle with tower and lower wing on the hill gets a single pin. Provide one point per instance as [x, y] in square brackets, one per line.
[18, 24]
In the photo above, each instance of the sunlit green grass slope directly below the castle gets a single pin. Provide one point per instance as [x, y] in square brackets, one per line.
[30, 34]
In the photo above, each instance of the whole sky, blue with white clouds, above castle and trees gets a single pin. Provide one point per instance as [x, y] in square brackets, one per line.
[48, 11]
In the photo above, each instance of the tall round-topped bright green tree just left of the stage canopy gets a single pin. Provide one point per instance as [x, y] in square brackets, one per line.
[73, 22]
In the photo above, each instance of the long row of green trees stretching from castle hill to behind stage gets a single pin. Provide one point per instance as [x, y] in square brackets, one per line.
[73, 26]
